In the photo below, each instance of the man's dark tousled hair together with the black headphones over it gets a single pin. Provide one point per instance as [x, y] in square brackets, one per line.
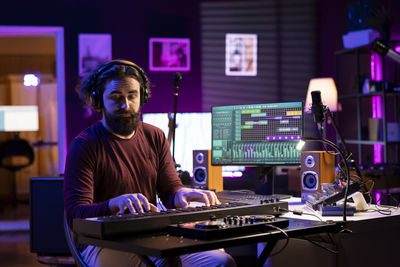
[92, 86]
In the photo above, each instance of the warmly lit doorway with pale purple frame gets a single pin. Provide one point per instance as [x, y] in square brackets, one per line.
[51, 86]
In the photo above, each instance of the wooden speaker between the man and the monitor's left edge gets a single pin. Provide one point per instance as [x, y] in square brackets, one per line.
[206, 176]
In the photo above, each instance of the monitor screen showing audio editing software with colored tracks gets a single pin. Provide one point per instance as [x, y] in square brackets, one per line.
[257, 134]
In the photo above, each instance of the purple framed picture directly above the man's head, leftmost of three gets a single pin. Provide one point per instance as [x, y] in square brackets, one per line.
[94, 50]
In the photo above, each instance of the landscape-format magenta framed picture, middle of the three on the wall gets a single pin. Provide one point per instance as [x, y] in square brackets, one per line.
[169, 54]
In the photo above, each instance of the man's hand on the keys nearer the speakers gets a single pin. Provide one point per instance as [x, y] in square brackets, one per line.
[185, 195]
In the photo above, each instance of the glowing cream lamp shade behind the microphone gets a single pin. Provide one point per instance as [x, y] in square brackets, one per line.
[328, 93]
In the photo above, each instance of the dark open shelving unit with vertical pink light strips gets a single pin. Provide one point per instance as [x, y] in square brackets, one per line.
[353, 67]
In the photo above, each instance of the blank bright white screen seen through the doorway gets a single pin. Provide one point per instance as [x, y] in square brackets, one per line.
[19, 118]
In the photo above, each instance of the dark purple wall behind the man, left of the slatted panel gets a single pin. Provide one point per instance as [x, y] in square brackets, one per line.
[131, 24]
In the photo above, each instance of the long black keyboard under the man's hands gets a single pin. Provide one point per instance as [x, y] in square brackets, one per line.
[108, 226]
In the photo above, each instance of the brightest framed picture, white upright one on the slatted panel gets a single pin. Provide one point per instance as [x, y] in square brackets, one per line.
[240, 54]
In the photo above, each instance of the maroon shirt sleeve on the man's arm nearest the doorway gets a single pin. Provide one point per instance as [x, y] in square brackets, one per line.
[79, 182]
